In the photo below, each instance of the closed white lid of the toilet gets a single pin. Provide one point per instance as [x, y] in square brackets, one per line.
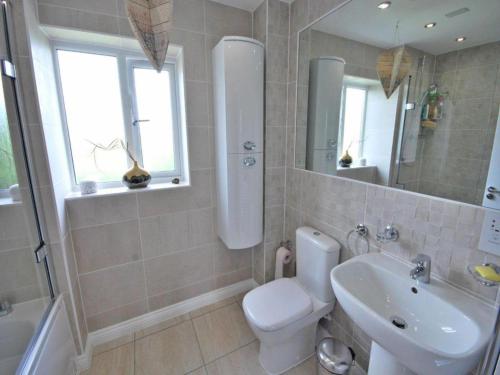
[276, 304]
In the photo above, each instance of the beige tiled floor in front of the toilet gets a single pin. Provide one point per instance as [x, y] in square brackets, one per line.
[214, 340]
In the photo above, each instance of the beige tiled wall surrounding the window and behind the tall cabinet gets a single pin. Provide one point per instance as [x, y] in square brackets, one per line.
[142, 251]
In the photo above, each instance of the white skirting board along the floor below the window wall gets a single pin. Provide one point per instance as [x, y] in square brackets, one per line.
[107, 334]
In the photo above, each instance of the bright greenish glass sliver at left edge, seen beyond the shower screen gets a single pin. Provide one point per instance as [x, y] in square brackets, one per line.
[8, 174]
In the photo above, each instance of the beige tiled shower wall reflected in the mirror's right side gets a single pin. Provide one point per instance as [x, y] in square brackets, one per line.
[459, 170]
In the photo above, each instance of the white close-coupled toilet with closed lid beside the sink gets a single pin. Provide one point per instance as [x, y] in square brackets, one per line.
[284, 313]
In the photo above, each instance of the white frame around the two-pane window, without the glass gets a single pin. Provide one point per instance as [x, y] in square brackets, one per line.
[126, 61]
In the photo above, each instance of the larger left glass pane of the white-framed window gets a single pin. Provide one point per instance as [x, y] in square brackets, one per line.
[92, 99]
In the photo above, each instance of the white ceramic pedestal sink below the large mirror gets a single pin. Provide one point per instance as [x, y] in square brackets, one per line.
[425, 328]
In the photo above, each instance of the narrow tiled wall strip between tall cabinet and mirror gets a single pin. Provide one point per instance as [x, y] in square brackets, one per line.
[271, 22]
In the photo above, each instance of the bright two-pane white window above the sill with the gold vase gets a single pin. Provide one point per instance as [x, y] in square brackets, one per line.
[110, 97]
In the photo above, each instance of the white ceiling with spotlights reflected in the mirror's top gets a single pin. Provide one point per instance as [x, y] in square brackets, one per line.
[361, 20]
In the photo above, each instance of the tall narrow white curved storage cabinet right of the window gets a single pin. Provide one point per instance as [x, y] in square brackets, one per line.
[238, 73]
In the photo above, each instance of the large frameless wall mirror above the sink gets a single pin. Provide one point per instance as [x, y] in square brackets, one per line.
[406, 97]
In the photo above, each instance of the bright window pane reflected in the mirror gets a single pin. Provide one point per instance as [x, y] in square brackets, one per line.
[353, 120]
